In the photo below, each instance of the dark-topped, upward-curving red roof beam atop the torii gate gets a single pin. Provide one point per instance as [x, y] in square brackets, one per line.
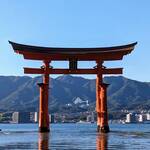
[59, 53]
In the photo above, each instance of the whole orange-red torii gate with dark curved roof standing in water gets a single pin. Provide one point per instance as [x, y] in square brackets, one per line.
[73, 55]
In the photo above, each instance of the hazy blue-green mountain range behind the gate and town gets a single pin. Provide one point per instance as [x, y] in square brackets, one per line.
[22, 93]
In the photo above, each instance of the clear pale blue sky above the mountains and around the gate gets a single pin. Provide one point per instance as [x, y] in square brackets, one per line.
[76, 23]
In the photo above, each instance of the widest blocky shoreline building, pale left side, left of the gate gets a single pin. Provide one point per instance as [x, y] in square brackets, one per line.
[21, 117]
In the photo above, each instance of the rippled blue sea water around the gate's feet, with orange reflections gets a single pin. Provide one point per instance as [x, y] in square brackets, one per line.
[75, 137]
